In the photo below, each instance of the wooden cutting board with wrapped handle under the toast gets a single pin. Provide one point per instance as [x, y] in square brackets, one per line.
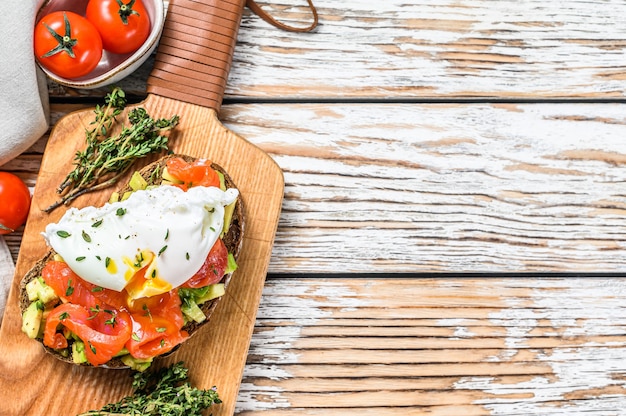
[191, 85]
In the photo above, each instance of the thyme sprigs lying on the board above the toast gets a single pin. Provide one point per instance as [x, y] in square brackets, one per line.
[107, 158]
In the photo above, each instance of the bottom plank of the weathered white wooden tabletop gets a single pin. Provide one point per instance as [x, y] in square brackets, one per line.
[544, 346]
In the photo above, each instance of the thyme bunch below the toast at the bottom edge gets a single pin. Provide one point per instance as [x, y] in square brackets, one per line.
[165, 392]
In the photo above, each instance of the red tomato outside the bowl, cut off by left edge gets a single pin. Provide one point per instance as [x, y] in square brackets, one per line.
[14, 202]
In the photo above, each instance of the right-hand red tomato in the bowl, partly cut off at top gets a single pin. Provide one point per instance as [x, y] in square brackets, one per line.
[123, 26]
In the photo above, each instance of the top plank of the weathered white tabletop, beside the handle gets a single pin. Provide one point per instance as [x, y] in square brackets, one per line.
[435, 49]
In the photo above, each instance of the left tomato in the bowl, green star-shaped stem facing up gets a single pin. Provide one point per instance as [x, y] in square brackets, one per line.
[67, 44]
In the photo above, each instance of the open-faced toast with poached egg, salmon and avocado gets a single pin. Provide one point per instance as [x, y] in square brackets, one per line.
[132, 280]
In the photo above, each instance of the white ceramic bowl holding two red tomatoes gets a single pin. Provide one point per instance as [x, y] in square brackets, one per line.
[112, 67]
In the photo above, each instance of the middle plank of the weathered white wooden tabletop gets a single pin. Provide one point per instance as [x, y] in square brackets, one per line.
[441, 187]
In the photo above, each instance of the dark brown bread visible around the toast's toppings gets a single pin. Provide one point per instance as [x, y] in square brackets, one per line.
[233, 241]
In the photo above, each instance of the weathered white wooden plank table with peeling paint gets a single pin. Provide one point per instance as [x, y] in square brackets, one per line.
[453, 234]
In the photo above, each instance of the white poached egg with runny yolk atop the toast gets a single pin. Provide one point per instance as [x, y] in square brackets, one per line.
[148, 244]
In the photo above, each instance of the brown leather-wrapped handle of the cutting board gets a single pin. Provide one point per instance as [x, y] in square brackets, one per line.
[196, 51]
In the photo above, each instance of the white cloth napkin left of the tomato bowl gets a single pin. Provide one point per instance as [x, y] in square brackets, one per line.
[24, 111]
